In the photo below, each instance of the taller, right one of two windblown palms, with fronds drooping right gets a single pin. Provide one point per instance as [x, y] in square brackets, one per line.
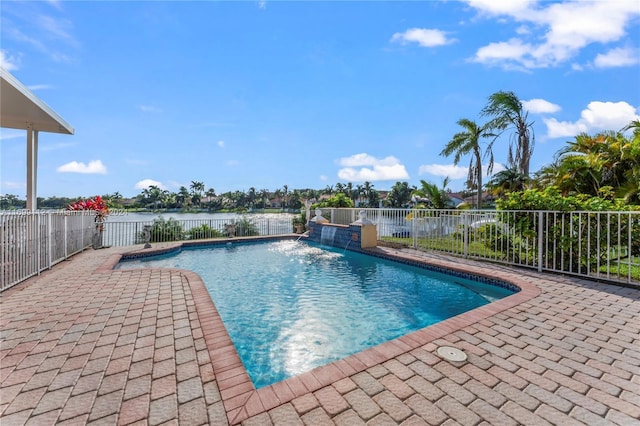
[507, 110]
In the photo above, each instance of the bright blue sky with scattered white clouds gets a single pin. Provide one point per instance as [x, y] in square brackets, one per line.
[262, 94]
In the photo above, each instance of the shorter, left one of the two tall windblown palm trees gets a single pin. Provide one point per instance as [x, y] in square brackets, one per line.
[468, 142]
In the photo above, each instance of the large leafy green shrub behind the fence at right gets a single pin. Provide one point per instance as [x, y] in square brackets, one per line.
[576, 237]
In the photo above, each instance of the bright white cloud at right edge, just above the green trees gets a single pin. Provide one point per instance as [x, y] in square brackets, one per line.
[597, 116]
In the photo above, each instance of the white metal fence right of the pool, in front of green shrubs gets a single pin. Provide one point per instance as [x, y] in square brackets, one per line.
[600, 245]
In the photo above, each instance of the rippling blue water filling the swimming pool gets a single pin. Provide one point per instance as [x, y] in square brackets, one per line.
[292, 306]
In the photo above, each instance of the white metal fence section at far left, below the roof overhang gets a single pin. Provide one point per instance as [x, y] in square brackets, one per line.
[31, 242]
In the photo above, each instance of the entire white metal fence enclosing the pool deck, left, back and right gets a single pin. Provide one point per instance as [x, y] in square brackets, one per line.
[601, 245]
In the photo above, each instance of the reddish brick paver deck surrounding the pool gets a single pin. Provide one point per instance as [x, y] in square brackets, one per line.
[84, 344]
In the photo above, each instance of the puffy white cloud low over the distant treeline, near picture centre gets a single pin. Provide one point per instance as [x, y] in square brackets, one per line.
[354, 169]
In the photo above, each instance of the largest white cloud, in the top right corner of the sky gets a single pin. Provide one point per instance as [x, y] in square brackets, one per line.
[558, 31]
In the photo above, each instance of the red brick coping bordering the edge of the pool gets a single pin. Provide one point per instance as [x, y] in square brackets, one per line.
[240, 397]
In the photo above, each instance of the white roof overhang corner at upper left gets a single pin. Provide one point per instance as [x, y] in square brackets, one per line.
[19, 108]
